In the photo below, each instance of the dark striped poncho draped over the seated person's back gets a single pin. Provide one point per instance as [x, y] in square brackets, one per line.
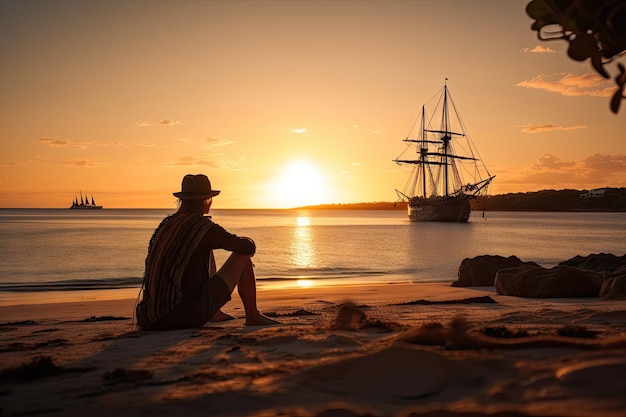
[170, 249]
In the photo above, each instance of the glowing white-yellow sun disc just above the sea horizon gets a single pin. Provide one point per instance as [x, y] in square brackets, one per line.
[299, 183]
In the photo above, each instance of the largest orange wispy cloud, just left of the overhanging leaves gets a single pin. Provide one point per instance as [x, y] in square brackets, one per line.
[571, 84]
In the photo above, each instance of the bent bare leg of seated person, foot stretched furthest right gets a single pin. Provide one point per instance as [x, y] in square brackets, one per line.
[238, 271]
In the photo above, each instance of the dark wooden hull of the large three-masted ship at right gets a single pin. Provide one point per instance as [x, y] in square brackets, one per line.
[439, 209]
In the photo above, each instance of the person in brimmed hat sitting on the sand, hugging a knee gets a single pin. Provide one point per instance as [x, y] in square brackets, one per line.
[181, 288]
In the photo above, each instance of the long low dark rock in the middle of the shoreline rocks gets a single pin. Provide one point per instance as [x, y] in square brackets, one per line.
[538, 282]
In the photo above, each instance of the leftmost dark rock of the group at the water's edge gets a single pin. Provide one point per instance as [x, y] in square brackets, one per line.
[481, 270]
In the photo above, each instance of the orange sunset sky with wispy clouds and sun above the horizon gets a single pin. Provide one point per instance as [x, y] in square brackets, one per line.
[284, 103]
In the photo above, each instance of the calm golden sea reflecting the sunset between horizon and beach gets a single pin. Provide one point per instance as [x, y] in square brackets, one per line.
[60, 250]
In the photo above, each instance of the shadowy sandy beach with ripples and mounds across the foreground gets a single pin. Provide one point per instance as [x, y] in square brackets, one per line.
[422, 349]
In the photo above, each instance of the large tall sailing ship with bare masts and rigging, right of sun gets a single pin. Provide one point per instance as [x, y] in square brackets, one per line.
[441, 158]
